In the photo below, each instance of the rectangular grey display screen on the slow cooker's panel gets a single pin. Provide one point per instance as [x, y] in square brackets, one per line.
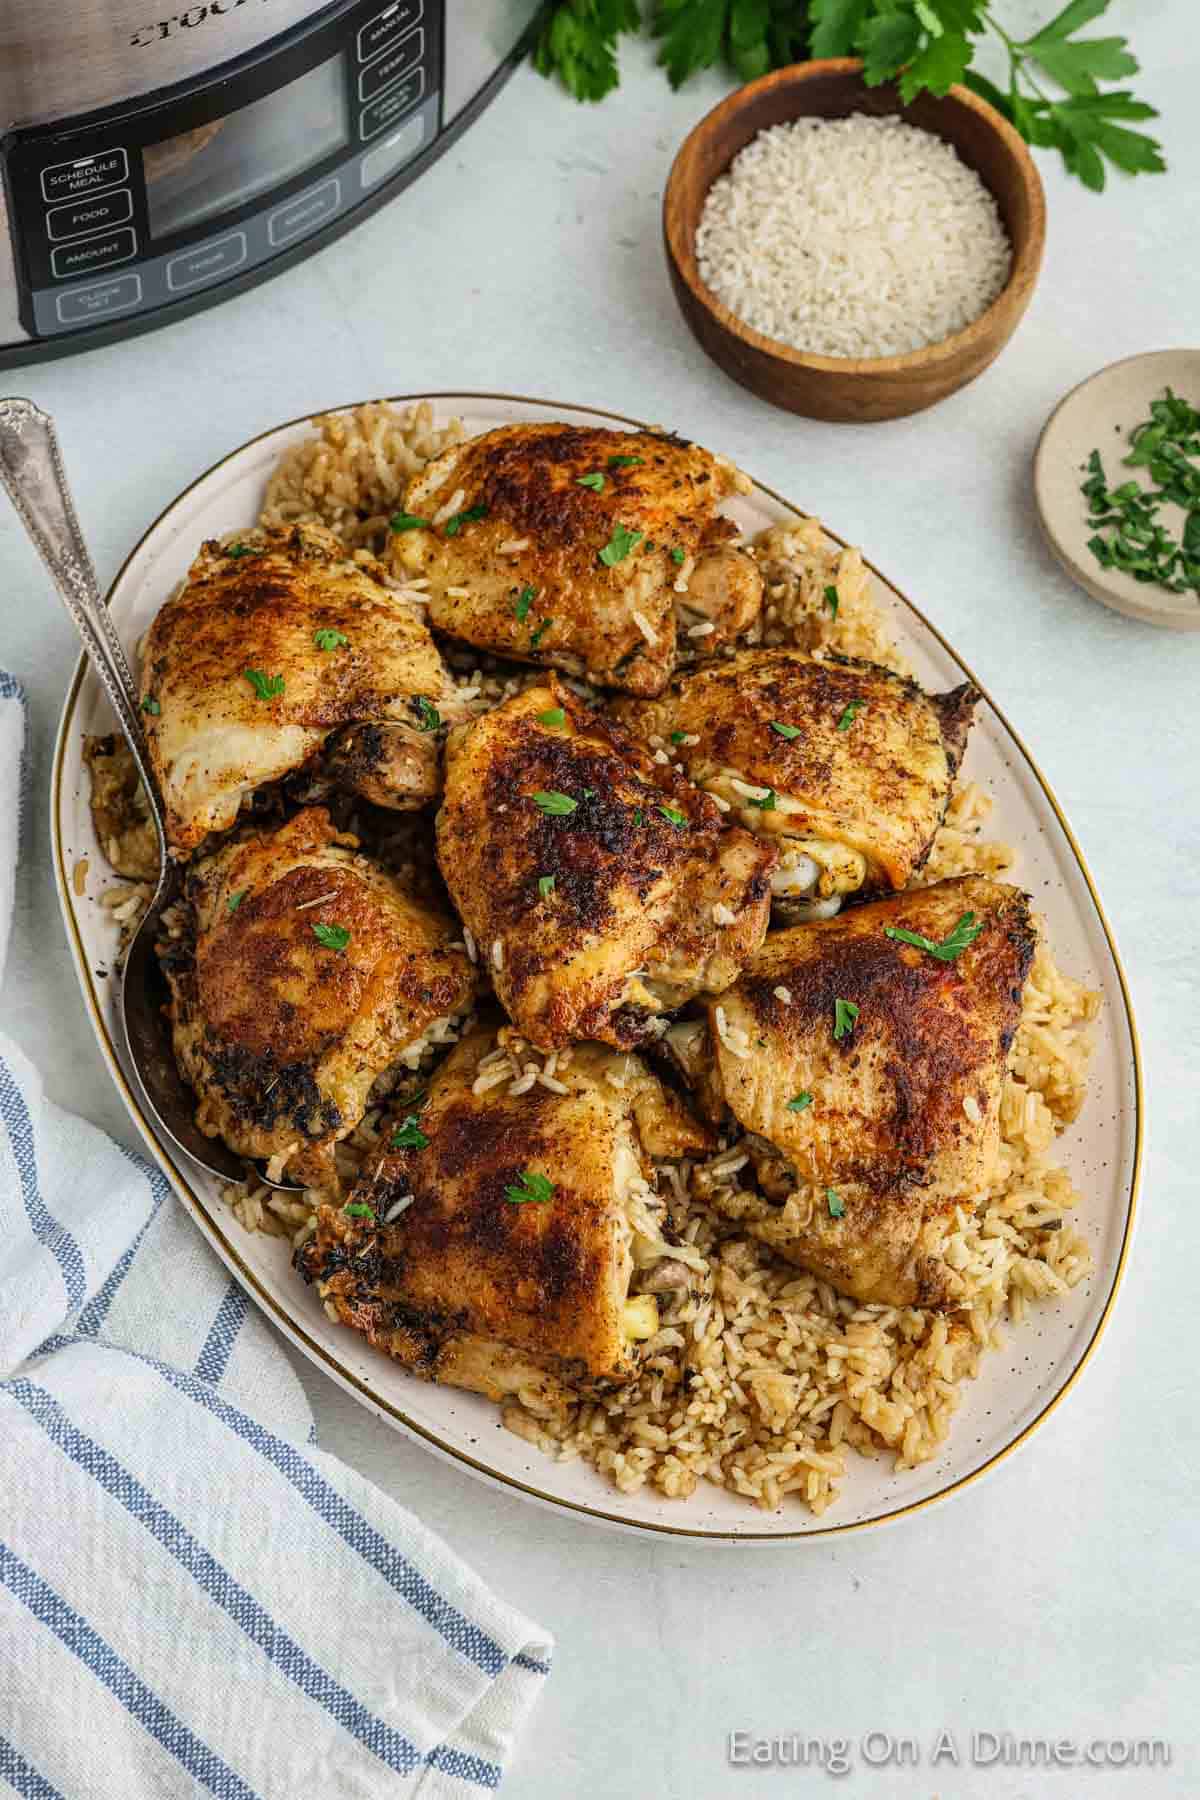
[228, 163]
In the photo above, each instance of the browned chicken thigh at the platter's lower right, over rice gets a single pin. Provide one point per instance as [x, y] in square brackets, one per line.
[906, 1108]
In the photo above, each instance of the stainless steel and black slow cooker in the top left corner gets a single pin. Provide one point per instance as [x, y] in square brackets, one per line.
[157, 161]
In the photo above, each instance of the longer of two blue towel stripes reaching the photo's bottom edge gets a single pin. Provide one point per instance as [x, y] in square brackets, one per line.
[121, 1682]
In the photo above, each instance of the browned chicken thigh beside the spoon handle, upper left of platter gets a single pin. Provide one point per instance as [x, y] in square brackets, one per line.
[269, 649]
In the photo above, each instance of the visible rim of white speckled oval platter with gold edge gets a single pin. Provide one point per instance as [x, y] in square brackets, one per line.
[1019, 1387]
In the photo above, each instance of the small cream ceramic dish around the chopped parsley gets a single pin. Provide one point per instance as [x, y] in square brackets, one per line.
[1100, 415]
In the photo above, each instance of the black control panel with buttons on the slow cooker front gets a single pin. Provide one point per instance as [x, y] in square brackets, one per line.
[130, 213]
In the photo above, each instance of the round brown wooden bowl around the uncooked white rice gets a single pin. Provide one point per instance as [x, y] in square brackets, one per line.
[843, 388]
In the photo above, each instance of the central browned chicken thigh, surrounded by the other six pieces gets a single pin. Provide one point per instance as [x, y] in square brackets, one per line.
[600, 886]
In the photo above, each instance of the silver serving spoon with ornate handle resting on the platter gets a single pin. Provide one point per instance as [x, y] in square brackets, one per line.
[31, 471]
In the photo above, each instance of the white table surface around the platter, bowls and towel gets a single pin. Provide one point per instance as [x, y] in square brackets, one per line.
[1059, 1597]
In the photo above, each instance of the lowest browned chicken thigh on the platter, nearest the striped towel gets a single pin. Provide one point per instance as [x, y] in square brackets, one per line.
[514, 1241]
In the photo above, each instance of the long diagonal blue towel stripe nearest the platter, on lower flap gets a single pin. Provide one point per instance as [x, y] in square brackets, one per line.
[465, 1637]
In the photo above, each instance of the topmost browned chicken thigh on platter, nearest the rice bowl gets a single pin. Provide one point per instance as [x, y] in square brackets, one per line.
[566, 544]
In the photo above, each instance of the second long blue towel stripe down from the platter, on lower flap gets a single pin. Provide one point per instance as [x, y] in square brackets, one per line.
[390, 1745]
